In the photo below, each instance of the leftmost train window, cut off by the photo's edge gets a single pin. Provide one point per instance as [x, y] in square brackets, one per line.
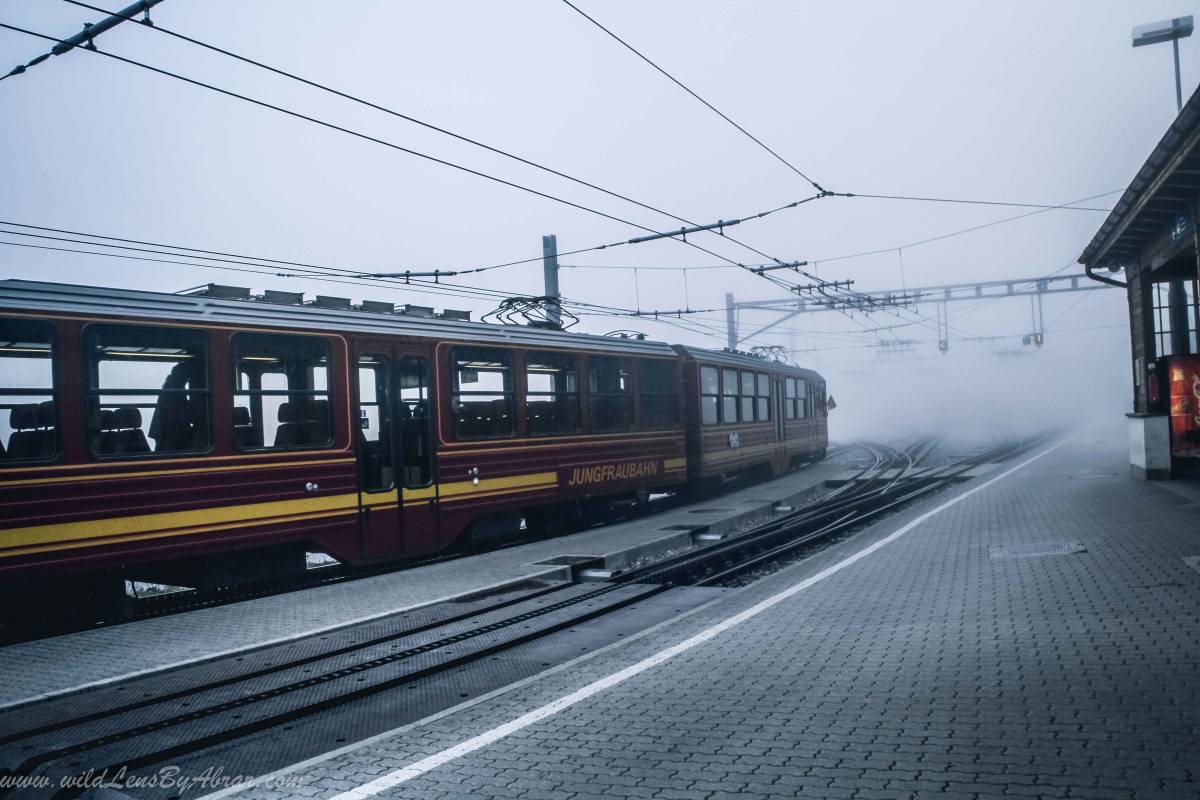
[28, 424]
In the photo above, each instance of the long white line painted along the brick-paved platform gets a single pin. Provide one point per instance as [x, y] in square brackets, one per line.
[483, 741]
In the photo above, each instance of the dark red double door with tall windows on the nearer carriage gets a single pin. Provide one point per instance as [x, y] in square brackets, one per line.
[398, 503]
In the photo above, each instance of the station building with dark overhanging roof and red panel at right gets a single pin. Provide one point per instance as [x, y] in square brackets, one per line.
[1151, 236]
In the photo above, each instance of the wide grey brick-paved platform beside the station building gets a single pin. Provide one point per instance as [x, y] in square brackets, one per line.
[1035, 633]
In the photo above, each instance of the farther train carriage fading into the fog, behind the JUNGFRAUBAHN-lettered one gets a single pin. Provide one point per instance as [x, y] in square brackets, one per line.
[751, 416]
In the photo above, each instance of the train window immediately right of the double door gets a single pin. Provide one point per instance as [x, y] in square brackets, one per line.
[482, 402]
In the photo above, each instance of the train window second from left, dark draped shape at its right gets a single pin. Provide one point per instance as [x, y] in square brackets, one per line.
[148, 390]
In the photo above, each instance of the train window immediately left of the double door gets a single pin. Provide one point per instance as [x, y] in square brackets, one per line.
[281, 393]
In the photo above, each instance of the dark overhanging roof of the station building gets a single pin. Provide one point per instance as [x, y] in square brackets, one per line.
[1160, 196]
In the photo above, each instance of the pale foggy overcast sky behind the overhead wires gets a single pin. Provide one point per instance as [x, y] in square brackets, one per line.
[1027, 103]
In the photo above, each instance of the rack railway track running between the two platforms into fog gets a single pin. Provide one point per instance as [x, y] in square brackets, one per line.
[266, 709]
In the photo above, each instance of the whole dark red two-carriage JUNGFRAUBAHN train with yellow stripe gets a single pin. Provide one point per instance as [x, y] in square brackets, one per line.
[159, 436]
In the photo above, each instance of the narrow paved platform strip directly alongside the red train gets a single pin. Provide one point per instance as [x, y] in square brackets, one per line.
[38, 670]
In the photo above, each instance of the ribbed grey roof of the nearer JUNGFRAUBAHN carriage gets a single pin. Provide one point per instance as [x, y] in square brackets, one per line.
[62, 298]
